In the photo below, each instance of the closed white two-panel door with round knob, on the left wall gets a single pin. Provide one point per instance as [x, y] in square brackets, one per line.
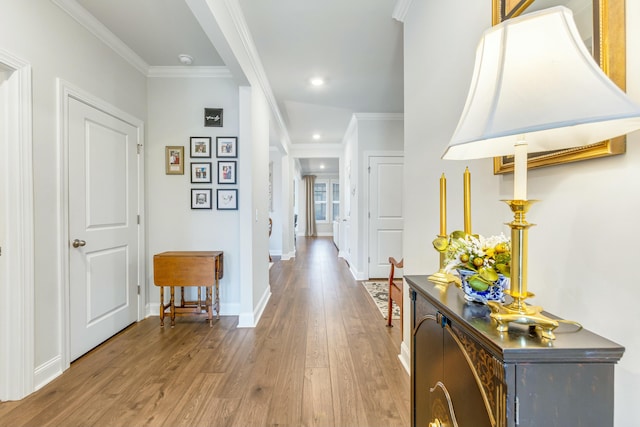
[103, 252]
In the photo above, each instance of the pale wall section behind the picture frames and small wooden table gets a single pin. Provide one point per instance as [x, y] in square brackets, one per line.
[176, 109]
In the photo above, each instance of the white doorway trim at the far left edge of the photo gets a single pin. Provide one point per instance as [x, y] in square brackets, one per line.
[17, 336]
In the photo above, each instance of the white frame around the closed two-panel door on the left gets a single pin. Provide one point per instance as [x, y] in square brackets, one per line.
[66, 91]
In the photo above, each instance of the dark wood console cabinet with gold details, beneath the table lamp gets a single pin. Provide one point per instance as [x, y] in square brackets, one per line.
[466, 373]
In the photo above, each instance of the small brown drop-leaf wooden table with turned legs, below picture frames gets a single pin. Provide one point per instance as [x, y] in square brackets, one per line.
[189, 268]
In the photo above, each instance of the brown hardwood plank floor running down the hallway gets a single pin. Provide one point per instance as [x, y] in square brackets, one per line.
[320, 356]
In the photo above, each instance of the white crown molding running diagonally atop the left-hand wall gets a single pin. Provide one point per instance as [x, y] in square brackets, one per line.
[87, 20]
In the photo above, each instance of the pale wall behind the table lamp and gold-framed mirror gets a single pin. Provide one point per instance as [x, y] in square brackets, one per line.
[585, 241]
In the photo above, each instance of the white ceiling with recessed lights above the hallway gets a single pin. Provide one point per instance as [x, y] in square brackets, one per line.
[355, 45]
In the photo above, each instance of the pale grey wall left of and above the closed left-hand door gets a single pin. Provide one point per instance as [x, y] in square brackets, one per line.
[56, 46]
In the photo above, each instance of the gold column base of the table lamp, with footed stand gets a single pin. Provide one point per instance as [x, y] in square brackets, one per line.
[518, 311]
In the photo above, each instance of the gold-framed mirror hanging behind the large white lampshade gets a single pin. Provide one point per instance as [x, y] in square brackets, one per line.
[602, 26]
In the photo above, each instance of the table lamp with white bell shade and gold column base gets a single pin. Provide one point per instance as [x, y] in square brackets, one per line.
[535, 87]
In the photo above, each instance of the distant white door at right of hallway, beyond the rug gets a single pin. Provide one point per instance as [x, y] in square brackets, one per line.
[386, 220]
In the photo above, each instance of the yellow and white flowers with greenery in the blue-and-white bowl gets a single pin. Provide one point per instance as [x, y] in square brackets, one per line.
[486, 257]
